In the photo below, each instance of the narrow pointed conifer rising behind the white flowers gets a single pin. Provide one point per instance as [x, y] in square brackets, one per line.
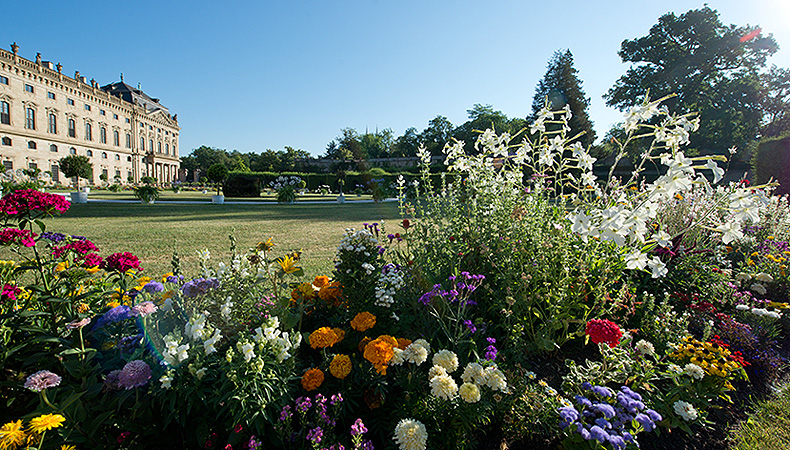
[561, 86]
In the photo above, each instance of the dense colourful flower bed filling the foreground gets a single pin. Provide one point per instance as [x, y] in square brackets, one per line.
[656, 301]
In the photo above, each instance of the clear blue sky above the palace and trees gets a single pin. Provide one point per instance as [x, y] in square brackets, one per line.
[258, 75]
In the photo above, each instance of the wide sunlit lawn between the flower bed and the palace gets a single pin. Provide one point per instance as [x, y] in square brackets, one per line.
[153, 232]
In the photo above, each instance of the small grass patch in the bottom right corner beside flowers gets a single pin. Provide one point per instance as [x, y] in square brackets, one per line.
[768, 426]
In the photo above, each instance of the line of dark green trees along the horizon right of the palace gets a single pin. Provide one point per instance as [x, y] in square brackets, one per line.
[717, 71]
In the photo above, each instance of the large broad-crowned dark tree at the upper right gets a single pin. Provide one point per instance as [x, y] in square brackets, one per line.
[713, 68]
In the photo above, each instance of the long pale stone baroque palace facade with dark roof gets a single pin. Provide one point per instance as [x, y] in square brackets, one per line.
[46, 115]
